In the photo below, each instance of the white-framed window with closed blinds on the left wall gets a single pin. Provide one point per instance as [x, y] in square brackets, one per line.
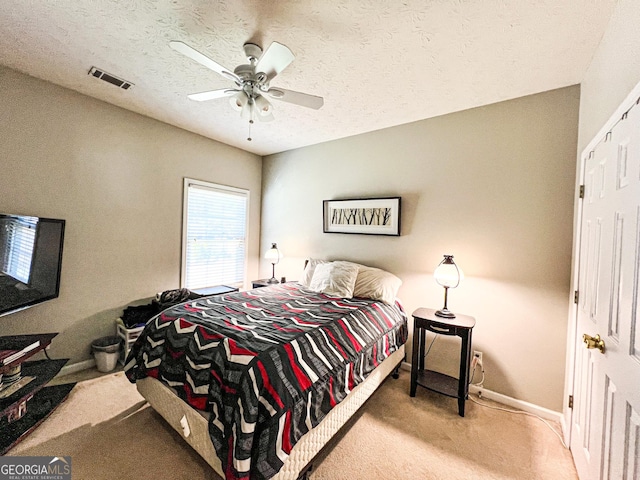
[214, 235]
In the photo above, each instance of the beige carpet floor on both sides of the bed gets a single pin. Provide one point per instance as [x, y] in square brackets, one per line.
[110, 432]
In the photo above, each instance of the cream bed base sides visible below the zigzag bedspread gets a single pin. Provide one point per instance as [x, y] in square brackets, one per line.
[194, 429]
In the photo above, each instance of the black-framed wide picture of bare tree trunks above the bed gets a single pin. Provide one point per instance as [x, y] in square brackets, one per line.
[368, 216]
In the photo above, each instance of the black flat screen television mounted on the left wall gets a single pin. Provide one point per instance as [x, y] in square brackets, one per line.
[30, 261]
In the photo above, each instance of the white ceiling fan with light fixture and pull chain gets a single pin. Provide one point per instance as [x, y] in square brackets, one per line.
[252, 81]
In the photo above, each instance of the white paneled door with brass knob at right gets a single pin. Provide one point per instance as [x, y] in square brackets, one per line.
[605, 425]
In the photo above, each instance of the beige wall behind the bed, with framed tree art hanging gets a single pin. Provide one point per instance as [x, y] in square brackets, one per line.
[492, 186]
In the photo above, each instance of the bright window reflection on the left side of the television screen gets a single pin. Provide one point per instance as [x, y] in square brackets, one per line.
[20, 237]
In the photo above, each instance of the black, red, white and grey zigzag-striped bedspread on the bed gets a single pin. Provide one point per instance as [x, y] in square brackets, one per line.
[267, 364]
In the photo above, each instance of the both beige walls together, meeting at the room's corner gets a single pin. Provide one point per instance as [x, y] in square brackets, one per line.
[492, 185]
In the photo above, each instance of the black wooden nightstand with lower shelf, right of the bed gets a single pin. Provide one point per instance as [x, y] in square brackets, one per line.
[461, 326]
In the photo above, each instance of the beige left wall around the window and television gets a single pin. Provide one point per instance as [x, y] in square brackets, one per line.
[116, 178]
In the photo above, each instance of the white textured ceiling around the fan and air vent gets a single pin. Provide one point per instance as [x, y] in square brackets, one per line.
[376, 63]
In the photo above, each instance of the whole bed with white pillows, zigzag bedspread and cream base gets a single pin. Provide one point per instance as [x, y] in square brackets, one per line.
[257, 382]
